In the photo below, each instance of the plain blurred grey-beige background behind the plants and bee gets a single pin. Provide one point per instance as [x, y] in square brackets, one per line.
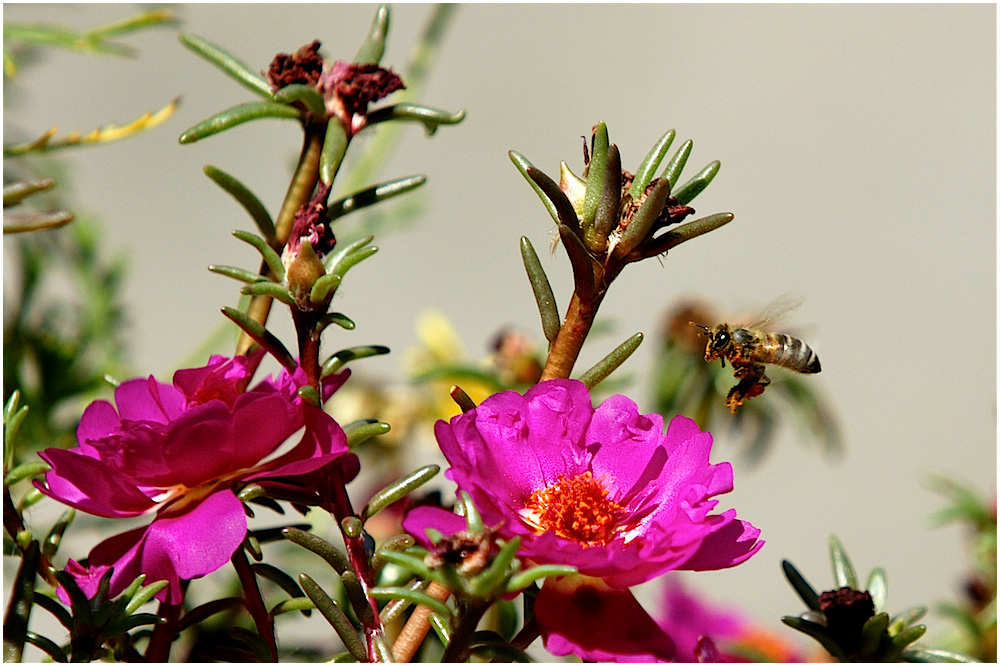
[858, 155]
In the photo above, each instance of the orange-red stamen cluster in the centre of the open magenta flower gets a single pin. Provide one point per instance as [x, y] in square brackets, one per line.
[577, 509]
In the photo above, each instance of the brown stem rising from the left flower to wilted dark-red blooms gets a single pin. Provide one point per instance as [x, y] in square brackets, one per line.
[299, 193]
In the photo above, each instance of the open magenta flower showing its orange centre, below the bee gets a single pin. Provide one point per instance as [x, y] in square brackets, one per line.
[604, 490]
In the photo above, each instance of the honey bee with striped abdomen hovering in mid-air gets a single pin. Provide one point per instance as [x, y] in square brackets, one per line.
[749, 347]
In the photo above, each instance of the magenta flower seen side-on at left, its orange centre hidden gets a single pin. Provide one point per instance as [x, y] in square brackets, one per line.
[177, 452]
